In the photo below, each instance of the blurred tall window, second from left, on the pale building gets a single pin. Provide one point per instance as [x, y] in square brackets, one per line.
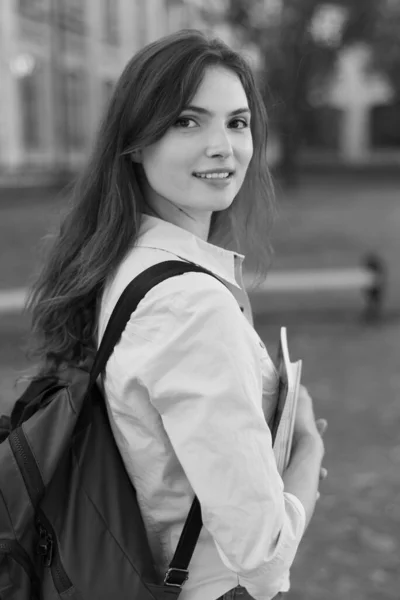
[74, 126]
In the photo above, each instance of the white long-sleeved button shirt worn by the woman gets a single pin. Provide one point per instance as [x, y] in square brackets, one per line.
[187, 391]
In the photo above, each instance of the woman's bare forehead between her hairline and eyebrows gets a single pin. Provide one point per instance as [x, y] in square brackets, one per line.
[220, 87]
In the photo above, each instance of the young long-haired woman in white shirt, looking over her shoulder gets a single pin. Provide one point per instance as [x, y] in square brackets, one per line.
[179, 172]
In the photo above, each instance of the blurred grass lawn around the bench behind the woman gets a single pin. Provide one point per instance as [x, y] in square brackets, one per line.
[351, 550]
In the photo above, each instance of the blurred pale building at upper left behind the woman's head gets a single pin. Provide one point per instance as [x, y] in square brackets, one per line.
[59, 60]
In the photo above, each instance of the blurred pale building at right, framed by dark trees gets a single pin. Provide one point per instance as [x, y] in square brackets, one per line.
[354, 116]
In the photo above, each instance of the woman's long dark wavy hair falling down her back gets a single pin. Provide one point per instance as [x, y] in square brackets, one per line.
[107, 204]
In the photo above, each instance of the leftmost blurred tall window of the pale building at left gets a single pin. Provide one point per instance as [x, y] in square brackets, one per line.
[29, 91]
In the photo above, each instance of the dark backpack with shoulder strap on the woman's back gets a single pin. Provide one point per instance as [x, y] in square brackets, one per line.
[70, 523]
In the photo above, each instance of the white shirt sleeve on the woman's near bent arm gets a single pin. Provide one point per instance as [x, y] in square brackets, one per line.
[203, 376]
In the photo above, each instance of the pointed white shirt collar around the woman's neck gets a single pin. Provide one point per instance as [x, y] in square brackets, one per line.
[163, 235]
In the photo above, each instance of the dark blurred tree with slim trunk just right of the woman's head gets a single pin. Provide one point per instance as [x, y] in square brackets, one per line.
[294, 57]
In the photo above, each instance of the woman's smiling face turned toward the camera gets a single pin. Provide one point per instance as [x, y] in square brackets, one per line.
[200, 163]
